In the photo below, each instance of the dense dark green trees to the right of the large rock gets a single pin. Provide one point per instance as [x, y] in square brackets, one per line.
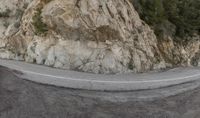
[184, 14]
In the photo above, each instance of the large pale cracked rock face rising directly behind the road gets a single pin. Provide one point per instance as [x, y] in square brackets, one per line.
[97, 36]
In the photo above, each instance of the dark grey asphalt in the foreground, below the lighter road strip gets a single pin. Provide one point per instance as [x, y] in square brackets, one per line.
[24, 99]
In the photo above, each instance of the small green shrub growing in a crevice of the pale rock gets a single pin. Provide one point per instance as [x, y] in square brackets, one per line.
[40, 27]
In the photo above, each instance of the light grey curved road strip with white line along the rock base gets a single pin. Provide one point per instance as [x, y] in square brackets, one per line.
[88, 81]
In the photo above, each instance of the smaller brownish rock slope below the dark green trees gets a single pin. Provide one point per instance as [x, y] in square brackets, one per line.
[180, 54]
